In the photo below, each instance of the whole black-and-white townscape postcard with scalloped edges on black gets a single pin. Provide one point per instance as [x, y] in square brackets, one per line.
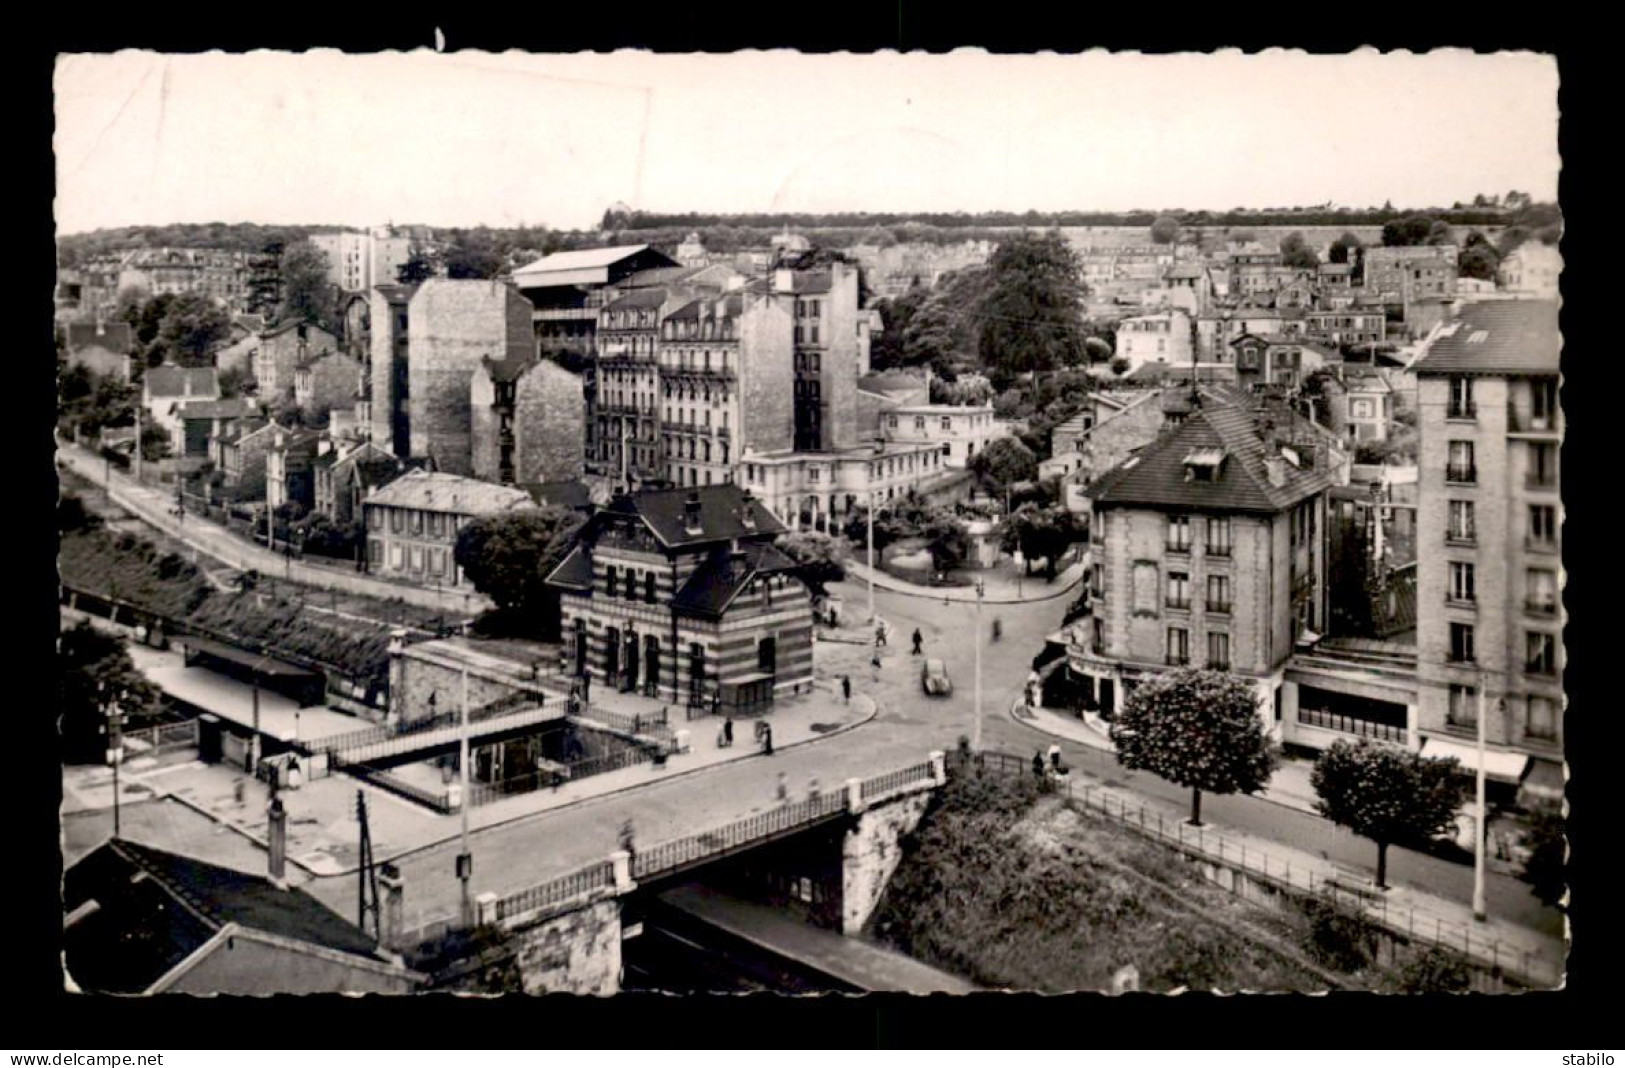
[789, 524]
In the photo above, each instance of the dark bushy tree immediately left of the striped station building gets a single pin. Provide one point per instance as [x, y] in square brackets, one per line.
[509, 557]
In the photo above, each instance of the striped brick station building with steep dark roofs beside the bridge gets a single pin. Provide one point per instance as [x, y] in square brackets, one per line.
[680, 594]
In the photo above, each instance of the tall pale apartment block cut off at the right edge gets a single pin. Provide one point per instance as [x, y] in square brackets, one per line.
[1489, 604]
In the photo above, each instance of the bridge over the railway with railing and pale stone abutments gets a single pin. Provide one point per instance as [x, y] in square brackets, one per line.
[830, 856]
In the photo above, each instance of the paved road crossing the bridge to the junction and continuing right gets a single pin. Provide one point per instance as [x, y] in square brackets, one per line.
[909, 726]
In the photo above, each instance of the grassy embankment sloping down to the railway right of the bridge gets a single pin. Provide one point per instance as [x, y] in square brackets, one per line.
[1020, 890]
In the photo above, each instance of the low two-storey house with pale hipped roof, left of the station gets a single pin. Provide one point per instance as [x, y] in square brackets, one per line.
[414, 523]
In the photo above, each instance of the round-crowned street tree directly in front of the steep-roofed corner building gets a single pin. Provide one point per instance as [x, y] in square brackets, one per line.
[1197, 729]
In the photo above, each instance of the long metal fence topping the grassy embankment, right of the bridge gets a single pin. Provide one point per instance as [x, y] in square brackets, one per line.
[1341, 890]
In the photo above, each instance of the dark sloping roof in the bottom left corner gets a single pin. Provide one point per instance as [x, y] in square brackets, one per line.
[154, 911]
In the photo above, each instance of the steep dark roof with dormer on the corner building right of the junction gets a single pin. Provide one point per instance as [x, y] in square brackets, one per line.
[1158, 479]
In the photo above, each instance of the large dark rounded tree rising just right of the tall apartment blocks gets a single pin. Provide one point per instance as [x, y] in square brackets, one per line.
[1033, 316]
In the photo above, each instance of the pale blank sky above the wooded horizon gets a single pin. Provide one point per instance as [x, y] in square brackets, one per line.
[466, 139]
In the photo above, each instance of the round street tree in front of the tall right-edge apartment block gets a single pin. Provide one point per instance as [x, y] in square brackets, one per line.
[1389, 796]
